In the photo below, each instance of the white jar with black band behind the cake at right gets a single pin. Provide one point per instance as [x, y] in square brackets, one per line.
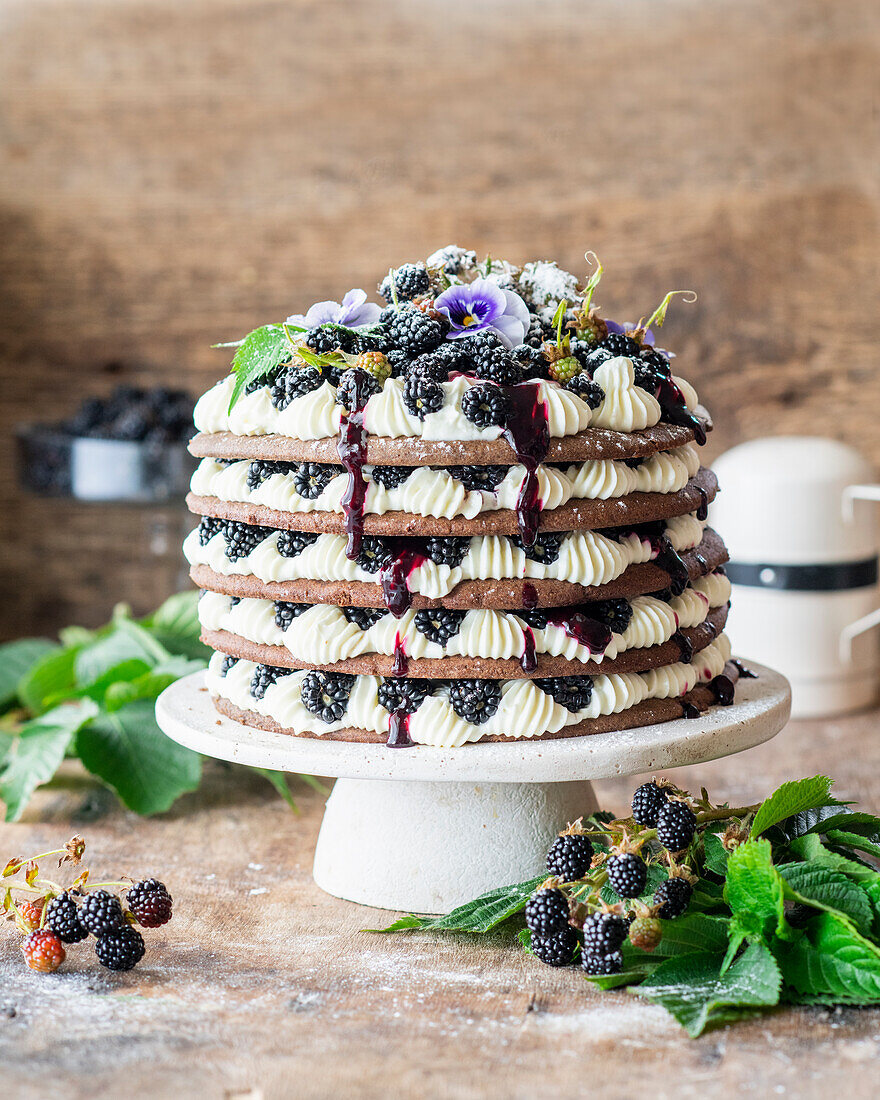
[797, 518]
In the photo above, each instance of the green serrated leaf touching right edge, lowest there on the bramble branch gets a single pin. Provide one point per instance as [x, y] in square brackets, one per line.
[832, 960]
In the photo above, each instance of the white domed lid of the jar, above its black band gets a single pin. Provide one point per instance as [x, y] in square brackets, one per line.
[782, 501]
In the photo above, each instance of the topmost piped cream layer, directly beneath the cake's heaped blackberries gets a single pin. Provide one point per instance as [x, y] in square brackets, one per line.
[316, 415]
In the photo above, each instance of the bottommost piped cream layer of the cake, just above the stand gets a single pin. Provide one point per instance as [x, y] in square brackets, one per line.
[524, 712]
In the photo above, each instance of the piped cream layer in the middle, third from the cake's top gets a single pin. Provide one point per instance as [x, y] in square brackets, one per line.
[585, 558]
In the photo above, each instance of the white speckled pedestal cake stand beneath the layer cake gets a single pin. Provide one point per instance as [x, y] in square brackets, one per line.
[425, 830]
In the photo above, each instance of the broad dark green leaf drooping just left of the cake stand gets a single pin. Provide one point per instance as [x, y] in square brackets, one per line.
[128, 751]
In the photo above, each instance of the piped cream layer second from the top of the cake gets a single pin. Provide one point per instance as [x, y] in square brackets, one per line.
[430, 492]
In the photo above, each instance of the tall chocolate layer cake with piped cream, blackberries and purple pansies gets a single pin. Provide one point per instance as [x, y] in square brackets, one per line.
[475, 512]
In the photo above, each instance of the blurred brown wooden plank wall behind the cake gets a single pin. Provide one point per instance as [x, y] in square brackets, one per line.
[177, 172]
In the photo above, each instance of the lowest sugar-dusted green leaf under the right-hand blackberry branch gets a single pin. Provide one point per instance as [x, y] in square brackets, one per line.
[695, 992]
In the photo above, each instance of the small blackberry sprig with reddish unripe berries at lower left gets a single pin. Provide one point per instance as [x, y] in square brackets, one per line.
[51, 916]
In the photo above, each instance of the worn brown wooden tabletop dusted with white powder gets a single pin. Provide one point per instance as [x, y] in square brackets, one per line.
[265, 987]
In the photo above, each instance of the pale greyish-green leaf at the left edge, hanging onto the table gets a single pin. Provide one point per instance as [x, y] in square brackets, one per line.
[37, 753]
